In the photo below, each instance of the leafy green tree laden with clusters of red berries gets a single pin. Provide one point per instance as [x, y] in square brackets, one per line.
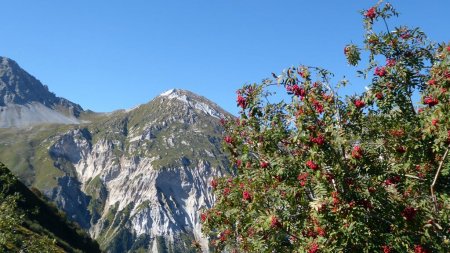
[322, 173]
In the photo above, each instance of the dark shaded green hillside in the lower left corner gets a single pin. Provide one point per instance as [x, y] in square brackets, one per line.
[30, 224]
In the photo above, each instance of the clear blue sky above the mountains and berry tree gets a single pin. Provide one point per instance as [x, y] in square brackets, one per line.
[111, 54]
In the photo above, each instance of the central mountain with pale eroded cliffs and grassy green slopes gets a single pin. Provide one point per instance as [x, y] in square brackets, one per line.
[135, 179]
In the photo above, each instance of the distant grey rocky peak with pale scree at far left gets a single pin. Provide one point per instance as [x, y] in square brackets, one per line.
[25, 101]
